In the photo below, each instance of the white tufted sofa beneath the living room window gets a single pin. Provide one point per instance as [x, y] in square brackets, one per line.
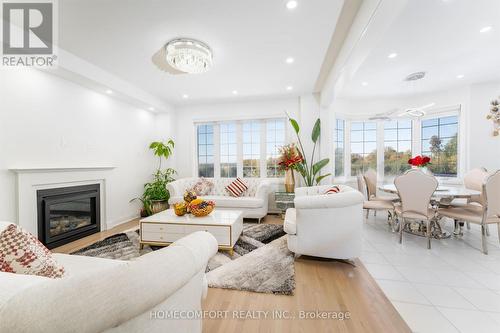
[253, 202]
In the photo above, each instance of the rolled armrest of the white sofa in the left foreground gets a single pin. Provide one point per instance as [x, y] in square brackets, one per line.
[97, 301]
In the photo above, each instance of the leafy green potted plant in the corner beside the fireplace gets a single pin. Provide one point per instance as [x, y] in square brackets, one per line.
[155, 196]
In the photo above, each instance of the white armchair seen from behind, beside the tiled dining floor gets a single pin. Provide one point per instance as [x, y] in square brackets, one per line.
[325, 225]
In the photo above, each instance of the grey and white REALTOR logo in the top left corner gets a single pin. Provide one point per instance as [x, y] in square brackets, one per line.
[28, 29]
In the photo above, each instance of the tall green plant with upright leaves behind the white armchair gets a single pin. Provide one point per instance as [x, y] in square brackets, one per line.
[310, 171]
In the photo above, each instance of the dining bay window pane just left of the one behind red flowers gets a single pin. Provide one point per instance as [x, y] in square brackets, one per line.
[397, 146]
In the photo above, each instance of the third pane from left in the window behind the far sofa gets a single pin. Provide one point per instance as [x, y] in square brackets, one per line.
[251, 149]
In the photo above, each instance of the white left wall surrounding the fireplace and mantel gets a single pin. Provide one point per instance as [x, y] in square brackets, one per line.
[46, 121]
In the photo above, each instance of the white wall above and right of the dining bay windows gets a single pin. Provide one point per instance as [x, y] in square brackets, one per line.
[477, 146]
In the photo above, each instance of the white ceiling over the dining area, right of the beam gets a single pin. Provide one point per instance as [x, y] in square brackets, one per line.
[440, 37]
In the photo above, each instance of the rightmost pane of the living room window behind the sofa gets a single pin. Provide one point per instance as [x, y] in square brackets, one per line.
[275, 138]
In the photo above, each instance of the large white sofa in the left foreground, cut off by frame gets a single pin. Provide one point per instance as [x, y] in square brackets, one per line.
[102, 295]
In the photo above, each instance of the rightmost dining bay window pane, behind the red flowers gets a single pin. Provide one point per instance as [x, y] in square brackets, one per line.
[440, 142]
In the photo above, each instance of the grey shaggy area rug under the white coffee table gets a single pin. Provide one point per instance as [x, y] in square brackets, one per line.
[261, 261]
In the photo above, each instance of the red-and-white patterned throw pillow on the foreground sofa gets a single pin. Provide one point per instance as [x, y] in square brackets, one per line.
[23, 253]
